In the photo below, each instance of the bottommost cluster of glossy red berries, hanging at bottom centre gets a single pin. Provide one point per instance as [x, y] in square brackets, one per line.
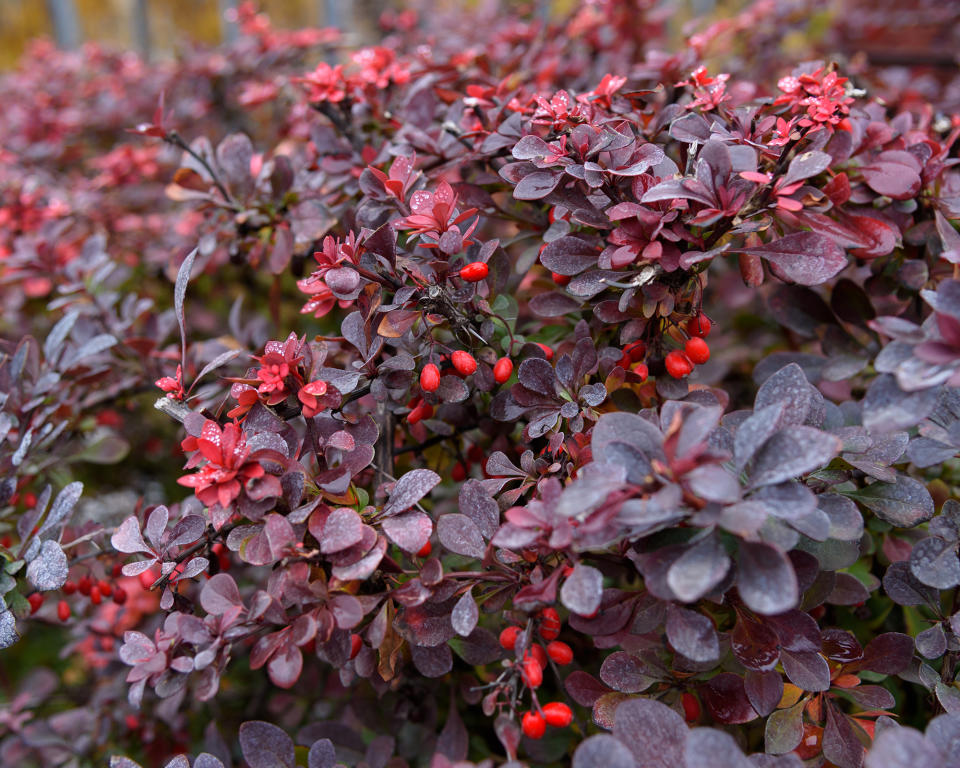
[534, 722]
